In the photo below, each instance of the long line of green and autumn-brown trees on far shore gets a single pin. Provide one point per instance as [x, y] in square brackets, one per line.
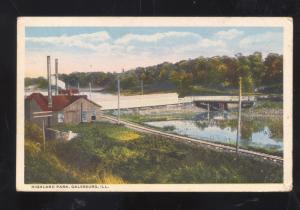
[186, 76]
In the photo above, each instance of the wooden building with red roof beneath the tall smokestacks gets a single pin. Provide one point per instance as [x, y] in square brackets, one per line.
[65, 108]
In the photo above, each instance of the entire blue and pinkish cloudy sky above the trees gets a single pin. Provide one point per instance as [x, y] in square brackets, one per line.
[111, 49]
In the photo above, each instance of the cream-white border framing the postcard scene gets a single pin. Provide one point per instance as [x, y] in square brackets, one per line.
[285, 22]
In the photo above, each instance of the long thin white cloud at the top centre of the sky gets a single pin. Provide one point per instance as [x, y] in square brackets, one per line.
[154, 37]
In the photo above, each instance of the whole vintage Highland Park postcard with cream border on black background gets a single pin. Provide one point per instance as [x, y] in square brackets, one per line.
[154, 104]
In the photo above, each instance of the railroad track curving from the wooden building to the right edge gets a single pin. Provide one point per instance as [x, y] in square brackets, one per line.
[198, 141]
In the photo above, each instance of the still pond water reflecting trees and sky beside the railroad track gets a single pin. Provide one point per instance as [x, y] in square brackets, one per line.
[264, 133]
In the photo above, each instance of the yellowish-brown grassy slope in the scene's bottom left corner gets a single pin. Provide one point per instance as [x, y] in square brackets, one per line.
[47, 167]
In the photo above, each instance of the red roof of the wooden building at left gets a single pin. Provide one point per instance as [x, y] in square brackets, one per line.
[59, 102]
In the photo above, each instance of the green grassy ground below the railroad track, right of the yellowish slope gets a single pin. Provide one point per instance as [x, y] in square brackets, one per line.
[154, 159]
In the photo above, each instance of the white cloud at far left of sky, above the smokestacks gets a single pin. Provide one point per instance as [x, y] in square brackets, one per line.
[85, 41]
